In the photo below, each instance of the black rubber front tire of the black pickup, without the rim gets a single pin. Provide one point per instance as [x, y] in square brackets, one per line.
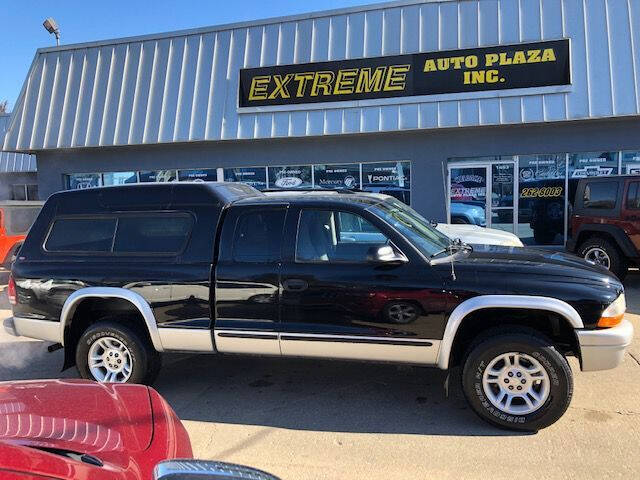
[530, 343]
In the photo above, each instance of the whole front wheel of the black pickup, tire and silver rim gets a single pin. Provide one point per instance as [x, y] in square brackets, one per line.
[516, 379]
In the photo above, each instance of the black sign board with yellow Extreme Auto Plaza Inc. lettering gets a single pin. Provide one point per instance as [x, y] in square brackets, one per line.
[502, 67]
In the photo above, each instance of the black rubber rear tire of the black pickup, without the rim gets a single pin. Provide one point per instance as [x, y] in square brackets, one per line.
[145, 361]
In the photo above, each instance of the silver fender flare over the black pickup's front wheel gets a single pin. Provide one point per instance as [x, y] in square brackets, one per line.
[481, 302]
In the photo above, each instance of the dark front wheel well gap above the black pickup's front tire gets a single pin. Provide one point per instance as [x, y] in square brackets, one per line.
[552, 325]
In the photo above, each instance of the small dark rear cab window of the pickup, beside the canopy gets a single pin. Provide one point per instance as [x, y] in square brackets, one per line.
[258, 236]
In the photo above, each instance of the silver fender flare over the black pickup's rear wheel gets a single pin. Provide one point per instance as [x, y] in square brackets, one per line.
[134, 298]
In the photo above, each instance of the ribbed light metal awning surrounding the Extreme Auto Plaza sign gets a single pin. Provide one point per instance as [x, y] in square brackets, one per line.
[184, 86]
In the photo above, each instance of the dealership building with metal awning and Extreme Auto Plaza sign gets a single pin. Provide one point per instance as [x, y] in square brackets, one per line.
[482, 111]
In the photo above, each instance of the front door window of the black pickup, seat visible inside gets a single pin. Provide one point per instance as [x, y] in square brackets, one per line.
[332, 236]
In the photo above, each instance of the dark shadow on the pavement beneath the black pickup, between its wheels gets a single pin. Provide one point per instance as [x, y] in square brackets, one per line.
[330, 396]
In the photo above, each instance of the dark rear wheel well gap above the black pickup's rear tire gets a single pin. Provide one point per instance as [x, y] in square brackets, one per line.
[93, 309]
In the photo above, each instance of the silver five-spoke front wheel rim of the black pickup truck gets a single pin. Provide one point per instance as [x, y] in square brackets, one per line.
[516, 383]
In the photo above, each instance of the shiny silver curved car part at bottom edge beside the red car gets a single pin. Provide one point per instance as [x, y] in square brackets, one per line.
[190, 469]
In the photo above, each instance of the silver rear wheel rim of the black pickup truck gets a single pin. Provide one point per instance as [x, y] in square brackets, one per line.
[109, 360]
